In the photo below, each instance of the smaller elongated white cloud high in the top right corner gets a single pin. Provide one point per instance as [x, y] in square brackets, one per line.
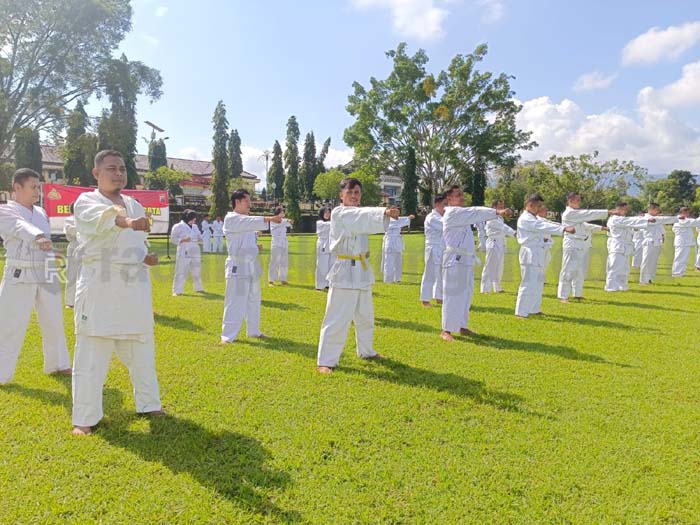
[658, 44]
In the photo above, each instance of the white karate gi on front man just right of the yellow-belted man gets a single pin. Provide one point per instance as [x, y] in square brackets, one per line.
[458, 263]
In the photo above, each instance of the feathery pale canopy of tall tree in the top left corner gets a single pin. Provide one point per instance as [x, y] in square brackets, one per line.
[52, 53]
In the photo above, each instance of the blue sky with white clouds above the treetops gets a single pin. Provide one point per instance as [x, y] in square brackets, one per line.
[268, 60]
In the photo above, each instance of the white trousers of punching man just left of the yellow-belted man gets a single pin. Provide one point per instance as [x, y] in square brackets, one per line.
[241, 303]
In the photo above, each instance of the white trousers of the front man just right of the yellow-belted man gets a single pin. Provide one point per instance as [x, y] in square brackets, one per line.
[458, 288]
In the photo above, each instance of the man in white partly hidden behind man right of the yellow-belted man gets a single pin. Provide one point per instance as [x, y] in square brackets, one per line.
[431, 282]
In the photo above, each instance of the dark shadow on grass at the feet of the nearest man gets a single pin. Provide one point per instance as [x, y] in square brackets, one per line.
[232, 464]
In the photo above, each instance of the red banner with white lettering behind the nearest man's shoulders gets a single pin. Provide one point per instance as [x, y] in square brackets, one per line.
[57, 199]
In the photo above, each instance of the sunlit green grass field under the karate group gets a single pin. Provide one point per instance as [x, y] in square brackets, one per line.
[589, 414]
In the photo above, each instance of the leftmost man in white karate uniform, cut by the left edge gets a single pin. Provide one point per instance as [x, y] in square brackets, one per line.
[29, 281]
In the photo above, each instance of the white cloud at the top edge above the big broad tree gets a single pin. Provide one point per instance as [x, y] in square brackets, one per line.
[420, 19]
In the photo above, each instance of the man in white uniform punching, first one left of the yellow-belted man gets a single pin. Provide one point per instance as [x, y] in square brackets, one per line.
[243, 270]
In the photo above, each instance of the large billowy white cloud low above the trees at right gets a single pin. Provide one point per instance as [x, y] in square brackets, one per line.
[653, 138]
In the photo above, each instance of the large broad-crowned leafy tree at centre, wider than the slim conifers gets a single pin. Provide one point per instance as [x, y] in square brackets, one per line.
[459, 121]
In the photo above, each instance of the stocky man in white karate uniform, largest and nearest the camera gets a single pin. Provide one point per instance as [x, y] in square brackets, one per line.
[113, 301]
